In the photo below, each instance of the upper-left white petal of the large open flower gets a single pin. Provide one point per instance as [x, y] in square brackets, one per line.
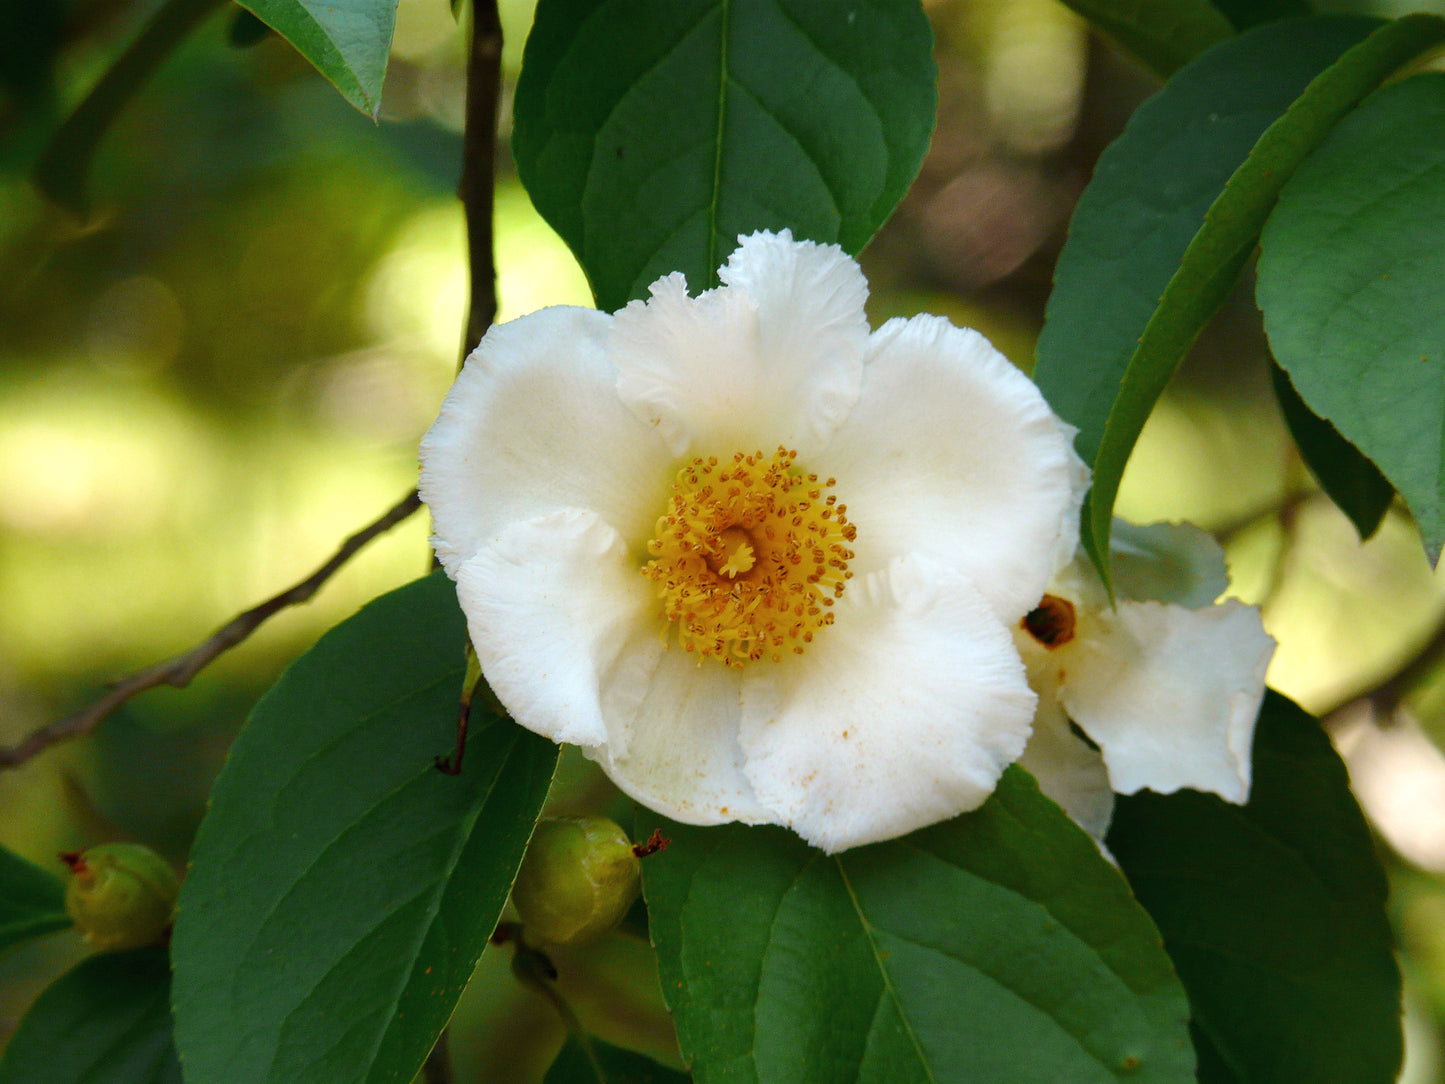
[532, 426]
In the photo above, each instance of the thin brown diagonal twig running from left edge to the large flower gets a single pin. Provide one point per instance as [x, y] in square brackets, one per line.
[183, 668]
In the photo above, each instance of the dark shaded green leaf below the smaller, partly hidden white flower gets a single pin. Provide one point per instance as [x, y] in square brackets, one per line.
[1274, 913]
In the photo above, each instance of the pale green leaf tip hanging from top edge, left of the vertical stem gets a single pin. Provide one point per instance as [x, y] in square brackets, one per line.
[348, 41]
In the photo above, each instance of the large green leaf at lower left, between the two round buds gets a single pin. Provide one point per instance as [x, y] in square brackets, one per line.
[342, 888]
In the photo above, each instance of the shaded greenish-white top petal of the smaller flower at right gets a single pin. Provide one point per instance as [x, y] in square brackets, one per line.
[1167, 563]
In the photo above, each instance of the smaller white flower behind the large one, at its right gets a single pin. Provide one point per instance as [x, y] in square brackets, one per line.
[1165, 686]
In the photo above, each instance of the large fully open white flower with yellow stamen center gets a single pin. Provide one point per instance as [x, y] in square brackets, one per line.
[756, 562]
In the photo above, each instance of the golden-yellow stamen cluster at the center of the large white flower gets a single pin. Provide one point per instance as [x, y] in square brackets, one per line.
[749, 557]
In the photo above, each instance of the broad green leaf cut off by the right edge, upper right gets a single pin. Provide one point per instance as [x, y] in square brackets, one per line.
[1350, 284]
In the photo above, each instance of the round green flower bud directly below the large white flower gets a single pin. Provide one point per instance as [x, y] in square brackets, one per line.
[577, 881]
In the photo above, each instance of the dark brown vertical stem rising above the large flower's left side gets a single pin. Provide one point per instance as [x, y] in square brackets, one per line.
[479, 167]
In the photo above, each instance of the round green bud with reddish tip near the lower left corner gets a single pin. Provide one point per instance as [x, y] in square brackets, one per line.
[122, 895]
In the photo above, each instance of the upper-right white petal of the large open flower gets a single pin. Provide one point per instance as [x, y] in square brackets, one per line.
[953, 453]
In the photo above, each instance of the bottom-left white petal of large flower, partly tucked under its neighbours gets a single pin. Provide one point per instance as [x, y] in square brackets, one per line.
[673, 736]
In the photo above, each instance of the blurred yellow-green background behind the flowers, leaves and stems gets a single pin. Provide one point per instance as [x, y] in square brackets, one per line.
[226, 369]
